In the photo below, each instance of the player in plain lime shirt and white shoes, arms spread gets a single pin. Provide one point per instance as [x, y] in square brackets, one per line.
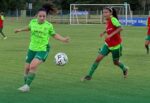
[41, 30]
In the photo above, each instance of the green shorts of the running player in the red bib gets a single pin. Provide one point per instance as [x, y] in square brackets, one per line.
[116, 53]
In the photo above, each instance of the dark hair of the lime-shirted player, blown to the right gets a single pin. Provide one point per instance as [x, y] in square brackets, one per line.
[48, 8]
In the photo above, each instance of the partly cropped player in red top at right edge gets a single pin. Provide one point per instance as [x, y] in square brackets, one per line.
[147, 40]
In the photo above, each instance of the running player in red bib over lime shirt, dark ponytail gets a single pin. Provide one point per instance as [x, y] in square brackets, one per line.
[112, 43]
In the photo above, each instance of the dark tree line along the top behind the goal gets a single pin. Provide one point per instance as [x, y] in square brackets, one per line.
[64, 4]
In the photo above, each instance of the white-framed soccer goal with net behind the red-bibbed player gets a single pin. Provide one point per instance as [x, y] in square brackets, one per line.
[92, 13]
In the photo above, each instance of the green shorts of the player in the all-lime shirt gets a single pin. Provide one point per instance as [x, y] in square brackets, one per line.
[41, 55]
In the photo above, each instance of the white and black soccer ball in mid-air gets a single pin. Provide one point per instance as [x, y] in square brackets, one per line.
[61, 59]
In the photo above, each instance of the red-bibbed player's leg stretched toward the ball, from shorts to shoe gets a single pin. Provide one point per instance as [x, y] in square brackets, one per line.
[103, 52]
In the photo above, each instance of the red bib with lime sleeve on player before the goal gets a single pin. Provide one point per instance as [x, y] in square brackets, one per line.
[111, 25]
